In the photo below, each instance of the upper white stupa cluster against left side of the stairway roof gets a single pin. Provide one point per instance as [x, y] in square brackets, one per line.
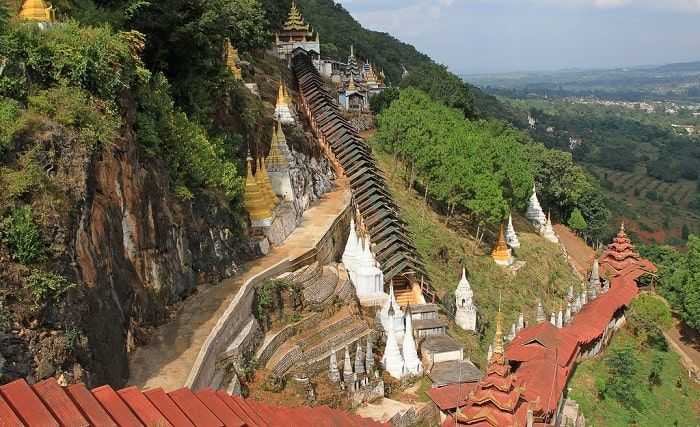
[362, 266]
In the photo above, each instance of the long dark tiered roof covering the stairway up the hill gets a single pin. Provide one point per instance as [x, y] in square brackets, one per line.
[348, 151]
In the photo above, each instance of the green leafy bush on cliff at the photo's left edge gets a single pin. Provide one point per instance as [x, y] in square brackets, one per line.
[22, 236]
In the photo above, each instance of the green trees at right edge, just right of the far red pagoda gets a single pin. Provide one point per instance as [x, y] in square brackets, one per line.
[678, 278]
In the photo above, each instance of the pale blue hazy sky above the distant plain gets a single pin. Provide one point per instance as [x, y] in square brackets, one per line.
[484, 36]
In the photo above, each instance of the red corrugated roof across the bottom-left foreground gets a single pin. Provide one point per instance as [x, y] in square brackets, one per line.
[49, 404]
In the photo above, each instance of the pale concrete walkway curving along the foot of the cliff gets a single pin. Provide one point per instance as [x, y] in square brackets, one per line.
[169, 356]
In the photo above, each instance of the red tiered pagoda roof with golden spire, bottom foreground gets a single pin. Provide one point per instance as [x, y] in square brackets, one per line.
[497, 399]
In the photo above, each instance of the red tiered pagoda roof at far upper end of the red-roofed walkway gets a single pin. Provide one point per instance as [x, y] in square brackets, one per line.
[621, 260]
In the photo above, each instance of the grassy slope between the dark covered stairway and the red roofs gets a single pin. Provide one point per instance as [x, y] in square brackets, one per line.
[547, 275]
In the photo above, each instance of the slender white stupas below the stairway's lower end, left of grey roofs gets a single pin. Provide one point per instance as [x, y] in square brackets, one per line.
[399, 362]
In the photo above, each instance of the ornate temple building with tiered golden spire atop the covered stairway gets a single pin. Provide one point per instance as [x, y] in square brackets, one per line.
[295, 33]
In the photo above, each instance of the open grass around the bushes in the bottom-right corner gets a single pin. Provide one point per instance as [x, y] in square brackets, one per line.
[676, 401]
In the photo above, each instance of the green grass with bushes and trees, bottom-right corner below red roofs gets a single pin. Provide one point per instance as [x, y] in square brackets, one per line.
[637, 380]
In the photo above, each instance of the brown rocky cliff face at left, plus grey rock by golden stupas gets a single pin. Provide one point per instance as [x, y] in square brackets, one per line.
[131, 248]
